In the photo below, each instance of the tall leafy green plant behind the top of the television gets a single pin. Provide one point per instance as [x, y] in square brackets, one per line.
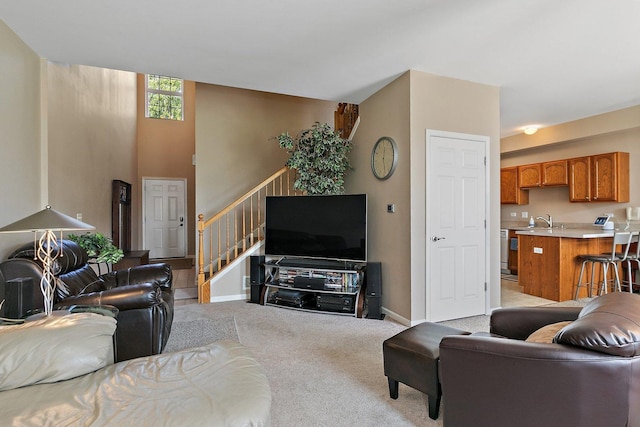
[319, 156]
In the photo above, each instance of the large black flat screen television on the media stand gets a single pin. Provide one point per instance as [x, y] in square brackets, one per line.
[323, 227]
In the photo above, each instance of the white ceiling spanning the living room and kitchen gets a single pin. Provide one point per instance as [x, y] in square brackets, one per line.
[554, 60]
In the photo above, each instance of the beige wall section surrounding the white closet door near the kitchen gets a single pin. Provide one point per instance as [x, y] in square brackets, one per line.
[453, 105]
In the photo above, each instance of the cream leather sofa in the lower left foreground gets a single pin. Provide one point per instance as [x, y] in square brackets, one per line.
[59, 371]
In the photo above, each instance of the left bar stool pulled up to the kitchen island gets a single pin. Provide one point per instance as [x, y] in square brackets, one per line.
[605, 260]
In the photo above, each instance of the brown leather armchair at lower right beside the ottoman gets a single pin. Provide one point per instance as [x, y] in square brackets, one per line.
[588, 374]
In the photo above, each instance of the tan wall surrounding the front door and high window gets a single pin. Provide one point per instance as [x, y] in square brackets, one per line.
[165, 150]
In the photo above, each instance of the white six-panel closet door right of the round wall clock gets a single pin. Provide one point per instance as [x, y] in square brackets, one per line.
[456, 217]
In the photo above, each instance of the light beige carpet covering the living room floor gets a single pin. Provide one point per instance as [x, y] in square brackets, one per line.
[325, 370]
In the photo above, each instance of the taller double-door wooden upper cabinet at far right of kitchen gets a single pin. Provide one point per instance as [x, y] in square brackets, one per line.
[599, 178]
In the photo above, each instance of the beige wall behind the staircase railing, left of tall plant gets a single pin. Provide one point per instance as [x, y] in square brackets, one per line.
[235, 150]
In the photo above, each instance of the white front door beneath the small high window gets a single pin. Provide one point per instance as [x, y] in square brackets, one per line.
[164, 213]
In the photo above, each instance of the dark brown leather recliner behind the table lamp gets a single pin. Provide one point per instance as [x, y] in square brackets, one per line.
[142, 294]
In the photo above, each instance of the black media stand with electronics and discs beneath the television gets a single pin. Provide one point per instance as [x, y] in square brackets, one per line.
[327, 289]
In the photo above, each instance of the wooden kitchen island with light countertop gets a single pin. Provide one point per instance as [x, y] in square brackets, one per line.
[548, 259]
